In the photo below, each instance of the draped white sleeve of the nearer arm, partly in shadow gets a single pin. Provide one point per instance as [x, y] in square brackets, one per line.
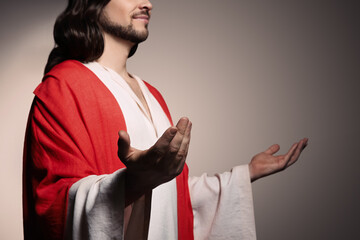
[96, 210]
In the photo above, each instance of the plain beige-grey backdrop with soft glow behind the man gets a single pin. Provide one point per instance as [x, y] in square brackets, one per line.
[248, 74]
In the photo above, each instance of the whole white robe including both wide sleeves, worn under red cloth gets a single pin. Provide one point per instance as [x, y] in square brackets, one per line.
[222, 205]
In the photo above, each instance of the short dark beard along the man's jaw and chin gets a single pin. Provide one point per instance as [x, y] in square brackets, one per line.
[124, 32]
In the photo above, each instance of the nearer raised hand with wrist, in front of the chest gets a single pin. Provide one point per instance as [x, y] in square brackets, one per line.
[159, 164]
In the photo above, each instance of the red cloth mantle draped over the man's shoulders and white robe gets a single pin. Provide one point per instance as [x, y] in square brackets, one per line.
[72, 132]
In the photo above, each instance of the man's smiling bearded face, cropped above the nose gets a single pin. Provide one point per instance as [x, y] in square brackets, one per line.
[127, 19]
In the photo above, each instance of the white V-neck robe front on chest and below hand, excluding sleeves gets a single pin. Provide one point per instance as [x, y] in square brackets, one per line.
[143, 133]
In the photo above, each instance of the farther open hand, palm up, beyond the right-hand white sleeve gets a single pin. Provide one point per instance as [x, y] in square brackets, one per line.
[265, 163]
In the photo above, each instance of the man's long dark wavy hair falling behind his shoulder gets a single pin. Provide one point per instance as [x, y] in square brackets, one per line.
[77, 33]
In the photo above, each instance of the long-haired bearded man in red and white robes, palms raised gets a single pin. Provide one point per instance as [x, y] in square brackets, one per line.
[102, 159]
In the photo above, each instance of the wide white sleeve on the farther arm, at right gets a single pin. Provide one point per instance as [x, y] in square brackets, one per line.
[223, 205]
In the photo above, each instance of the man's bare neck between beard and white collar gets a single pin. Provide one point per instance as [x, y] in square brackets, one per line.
[115, 54]
